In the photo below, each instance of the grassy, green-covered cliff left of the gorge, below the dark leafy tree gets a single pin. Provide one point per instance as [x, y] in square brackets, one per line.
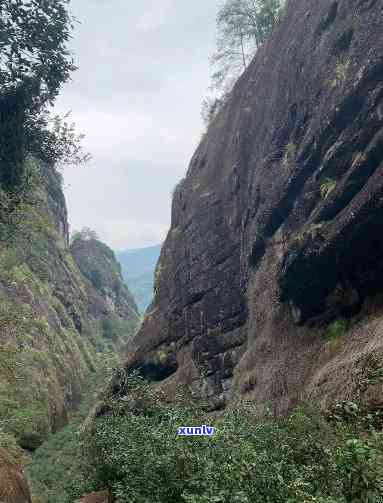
[51, 334]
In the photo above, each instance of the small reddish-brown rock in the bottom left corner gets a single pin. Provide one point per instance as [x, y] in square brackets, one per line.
[13, 486]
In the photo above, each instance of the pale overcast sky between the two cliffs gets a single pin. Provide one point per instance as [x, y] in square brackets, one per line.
[143, 73]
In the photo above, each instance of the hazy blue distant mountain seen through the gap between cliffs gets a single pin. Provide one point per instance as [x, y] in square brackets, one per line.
[138, 267]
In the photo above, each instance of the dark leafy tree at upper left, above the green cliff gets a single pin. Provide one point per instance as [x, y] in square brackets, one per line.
[34, 63]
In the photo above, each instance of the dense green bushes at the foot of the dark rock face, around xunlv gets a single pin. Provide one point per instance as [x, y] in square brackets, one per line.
[135, 451]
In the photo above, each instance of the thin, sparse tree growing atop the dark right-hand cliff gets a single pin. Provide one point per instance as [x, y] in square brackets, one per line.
[243, 26]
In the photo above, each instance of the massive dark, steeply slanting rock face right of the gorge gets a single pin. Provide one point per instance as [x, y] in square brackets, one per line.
[277, 228]
